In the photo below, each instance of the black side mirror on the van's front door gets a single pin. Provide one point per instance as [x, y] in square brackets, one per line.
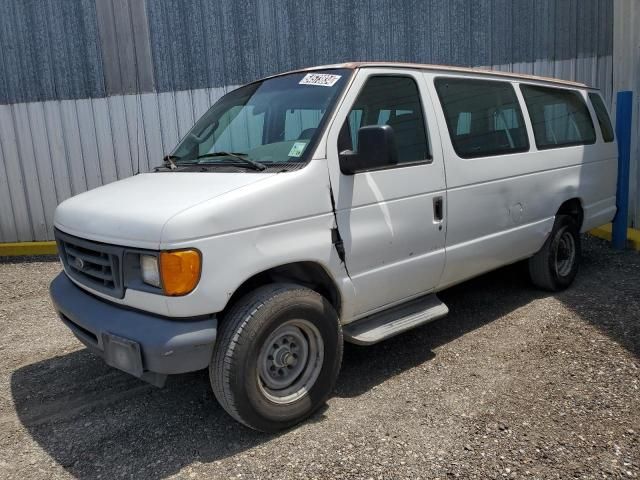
[376, 149]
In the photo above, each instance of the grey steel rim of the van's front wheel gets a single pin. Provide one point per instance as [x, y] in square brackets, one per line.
[290, 361]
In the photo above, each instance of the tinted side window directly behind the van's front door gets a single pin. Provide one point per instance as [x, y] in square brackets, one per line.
[483, 117]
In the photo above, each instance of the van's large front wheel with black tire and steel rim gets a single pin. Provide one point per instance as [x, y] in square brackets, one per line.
[262, 372]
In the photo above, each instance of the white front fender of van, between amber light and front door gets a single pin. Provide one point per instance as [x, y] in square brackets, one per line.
[287, 220]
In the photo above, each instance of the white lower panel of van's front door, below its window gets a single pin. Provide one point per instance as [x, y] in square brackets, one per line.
[387, 236]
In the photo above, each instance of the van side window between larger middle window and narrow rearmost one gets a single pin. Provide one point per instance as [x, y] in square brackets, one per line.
[560, 118]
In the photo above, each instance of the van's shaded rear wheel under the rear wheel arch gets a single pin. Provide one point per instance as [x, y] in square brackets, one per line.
[555, 266]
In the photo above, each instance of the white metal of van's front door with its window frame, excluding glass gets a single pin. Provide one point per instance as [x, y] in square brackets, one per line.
[393, 248]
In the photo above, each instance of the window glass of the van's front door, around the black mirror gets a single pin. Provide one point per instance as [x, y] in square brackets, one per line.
[393, 101]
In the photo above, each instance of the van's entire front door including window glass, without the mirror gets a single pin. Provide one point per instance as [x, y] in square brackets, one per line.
[391, 220]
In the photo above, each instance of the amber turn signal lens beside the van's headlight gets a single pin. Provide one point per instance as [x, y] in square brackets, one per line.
[180, 271]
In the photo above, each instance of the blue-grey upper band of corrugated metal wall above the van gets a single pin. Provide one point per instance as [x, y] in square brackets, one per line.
[69, 49]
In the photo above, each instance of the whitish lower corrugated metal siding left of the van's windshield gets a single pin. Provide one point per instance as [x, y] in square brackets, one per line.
[66, 147]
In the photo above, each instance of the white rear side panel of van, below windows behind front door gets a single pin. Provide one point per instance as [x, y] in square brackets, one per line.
[524, 209]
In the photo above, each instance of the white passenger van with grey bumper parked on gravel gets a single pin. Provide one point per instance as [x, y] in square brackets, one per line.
[324, 205]
